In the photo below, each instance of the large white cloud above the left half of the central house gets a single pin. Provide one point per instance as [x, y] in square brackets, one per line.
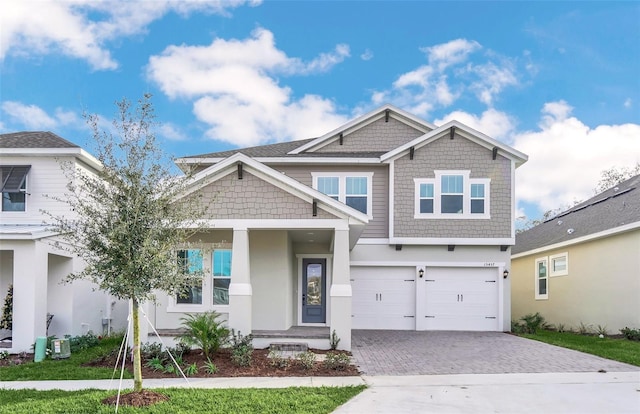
[236, 91]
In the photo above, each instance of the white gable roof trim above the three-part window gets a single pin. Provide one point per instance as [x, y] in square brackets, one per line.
[469, 133]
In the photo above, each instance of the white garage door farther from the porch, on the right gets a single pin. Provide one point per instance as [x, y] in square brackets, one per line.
[460, 298]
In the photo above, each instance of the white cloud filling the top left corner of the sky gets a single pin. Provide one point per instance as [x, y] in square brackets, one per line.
[82, 28]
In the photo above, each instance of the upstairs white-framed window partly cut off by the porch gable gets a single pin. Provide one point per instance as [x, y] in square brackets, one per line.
[352, 189]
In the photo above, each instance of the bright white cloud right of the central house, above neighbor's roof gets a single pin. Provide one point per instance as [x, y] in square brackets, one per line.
[566, 157]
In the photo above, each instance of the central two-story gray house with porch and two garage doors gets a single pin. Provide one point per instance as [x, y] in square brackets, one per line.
[387, 222]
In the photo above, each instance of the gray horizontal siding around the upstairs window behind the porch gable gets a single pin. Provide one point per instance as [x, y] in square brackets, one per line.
[378, 227]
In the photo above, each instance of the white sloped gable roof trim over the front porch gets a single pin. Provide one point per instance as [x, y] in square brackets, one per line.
[278, 179]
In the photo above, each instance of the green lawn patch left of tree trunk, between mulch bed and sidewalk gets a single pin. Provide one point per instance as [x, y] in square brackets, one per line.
[65, 369]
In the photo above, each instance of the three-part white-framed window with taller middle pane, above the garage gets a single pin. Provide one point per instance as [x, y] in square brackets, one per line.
[452, 194]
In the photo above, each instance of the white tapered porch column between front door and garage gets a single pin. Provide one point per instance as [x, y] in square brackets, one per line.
[341, 290]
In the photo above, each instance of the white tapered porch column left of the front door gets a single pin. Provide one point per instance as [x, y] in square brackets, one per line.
[240, 287]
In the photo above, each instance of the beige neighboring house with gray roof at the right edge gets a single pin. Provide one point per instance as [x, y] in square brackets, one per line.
[583, 266]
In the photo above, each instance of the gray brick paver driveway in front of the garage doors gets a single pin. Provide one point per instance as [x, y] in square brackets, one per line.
[379, 352]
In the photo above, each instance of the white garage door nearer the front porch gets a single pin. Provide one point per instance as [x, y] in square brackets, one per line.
[383, 297]
